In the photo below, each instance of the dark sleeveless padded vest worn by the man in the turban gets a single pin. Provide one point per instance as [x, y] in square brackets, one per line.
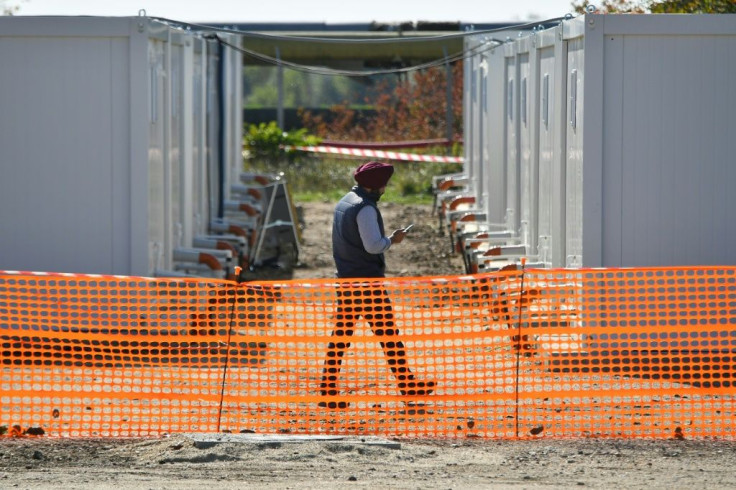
[351, 257]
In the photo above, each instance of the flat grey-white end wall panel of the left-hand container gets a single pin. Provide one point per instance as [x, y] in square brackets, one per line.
[58, 177]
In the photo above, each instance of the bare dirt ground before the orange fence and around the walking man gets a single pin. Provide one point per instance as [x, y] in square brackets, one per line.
[175, 462]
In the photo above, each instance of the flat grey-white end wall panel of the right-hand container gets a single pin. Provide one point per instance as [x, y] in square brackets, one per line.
[675, 158]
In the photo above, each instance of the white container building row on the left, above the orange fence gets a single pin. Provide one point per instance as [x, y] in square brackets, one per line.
[119, 139]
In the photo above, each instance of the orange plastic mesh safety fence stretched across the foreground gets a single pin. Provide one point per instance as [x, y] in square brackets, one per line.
[645, 353]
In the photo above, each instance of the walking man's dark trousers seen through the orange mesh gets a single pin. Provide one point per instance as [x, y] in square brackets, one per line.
[375, 307]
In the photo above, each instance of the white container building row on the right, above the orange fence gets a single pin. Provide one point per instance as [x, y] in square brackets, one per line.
[614, 137]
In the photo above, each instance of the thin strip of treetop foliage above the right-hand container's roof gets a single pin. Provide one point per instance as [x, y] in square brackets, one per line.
[659, 6]
